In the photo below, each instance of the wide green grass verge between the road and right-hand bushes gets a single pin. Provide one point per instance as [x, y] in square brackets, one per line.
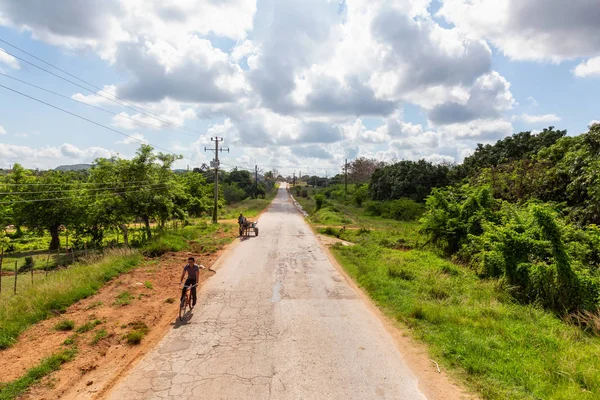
[473, 328]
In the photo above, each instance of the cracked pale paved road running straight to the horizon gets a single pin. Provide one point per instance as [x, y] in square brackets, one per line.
[277, 321]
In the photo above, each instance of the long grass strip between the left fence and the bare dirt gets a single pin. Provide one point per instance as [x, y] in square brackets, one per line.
[58, 291]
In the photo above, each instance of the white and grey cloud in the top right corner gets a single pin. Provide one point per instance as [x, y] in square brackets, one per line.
[553, 30]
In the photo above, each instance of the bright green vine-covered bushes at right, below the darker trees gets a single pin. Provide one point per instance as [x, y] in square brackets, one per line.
[542, 259]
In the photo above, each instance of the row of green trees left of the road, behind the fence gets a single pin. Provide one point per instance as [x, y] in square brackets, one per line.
[110, 196]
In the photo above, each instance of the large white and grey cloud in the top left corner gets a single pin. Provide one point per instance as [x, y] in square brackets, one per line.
[103, 25]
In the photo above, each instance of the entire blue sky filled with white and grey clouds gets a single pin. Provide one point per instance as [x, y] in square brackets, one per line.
[296, 85]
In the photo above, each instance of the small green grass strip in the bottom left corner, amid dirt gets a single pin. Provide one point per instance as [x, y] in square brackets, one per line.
[12, 390]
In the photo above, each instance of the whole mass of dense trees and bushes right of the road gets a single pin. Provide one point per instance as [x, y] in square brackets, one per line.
[524, 210]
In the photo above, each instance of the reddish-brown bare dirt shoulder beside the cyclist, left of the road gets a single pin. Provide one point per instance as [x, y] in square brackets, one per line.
[150, 292]
